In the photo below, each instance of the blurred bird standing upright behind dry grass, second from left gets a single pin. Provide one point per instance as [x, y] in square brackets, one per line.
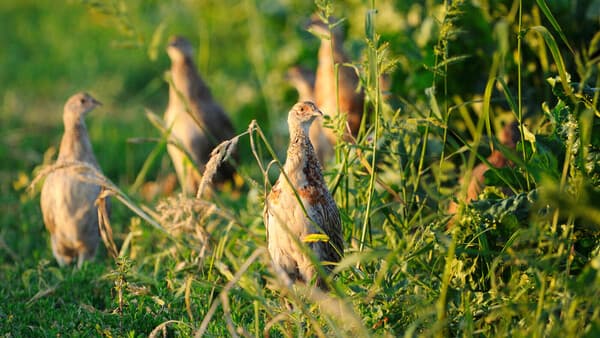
[198, 123]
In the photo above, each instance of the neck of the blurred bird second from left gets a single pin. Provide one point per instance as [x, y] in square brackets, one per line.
[187, 81]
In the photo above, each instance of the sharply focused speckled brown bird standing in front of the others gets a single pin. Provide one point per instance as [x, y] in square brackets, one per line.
[289, 218]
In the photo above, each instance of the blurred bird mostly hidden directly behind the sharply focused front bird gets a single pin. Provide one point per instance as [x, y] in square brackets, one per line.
[303, 81]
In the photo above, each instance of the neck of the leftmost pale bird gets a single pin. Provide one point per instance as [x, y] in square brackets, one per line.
[75, 144]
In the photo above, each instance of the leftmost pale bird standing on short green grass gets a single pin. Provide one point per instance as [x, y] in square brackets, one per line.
[67, 200]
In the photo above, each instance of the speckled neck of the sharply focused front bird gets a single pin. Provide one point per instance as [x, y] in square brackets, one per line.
[301, 163]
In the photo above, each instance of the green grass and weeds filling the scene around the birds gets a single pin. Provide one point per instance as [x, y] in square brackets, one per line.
[521, 260]
